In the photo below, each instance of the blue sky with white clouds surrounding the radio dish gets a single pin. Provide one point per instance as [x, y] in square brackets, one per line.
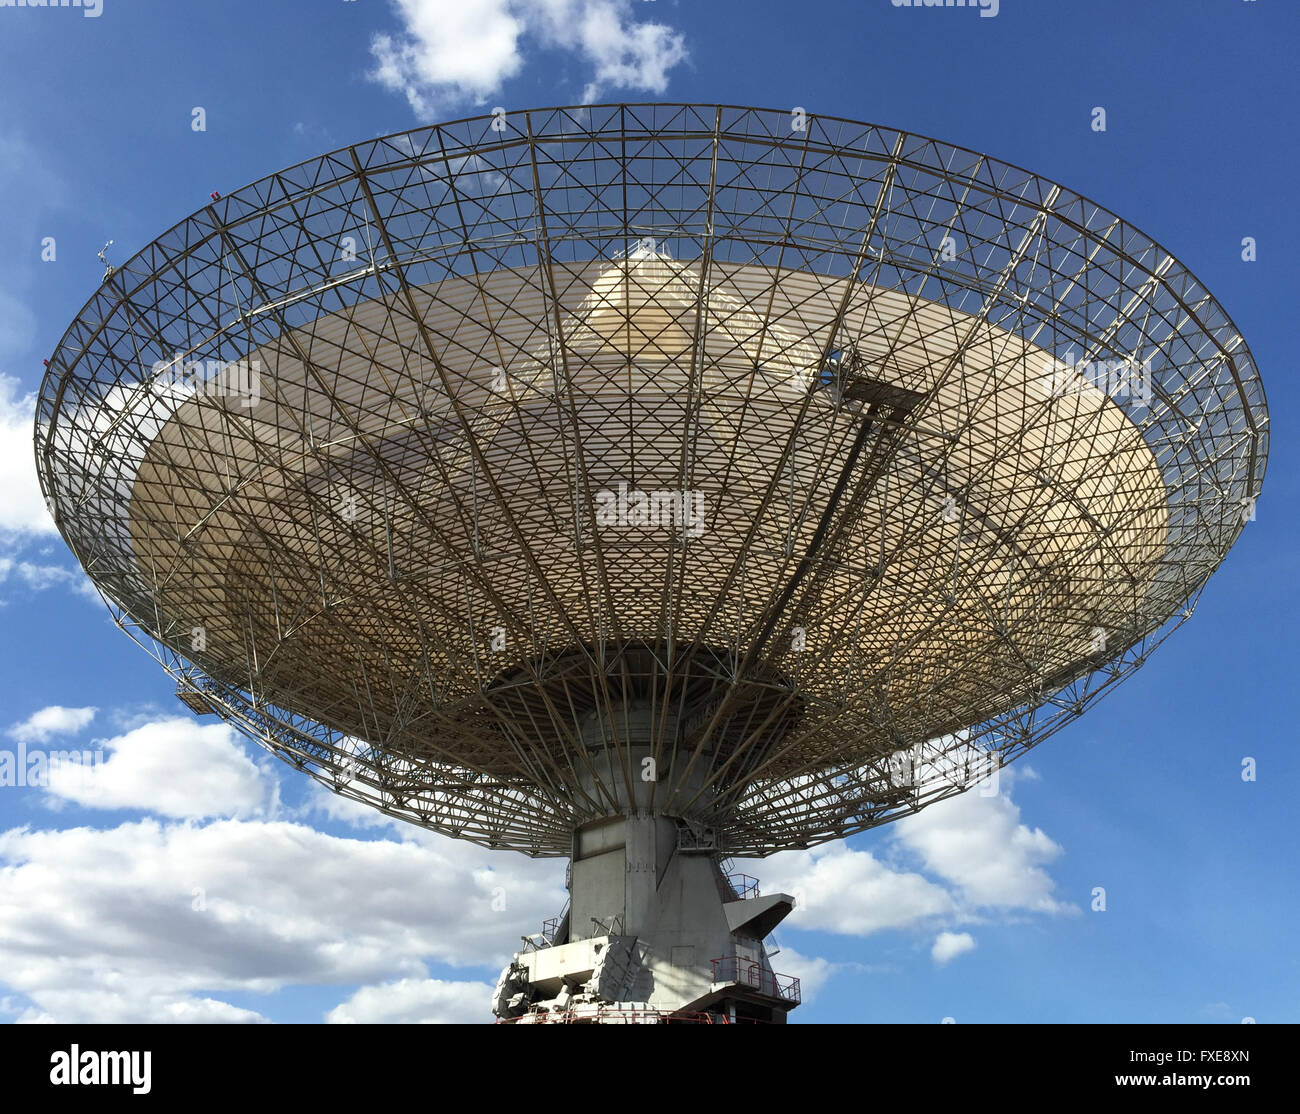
[242, 892]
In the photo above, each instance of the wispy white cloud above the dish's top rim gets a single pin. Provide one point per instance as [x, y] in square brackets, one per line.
[450, 54]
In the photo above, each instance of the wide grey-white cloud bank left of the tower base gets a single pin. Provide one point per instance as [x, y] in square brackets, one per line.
[149, 920]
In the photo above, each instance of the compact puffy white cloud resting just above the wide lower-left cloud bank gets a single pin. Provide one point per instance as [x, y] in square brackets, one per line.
[172, 768]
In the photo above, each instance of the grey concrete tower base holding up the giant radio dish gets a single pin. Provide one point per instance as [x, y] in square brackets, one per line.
[656, 933]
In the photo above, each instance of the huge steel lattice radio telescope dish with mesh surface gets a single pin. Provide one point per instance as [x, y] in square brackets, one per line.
[788, 435]
